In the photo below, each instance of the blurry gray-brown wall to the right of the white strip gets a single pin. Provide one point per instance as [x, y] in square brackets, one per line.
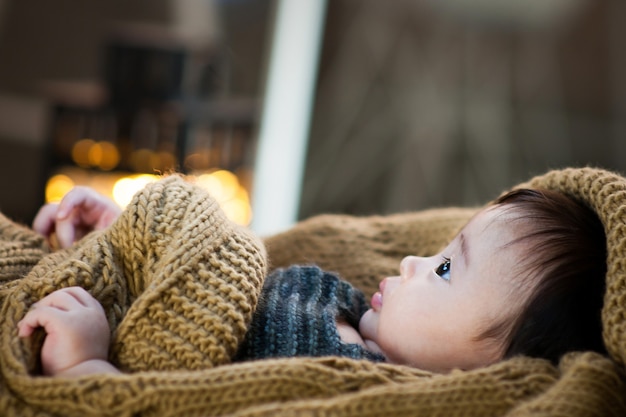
[430, 103]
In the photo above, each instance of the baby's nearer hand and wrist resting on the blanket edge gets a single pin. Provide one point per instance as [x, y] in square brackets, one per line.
[77, 333]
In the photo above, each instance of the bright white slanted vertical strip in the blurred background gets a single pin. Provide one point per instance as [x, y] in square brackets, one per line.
[286, 114]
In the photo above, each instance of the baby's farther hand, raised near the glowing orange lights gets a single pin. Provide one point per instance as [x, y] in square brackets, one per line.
[81, 211]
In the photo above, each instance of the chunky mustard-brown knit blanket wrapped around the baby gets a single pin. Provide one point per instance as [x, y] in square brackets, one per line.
[179, 283]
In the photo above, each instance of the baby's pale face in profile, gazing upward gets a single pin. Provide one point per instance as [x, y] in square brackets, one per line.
[431, 315]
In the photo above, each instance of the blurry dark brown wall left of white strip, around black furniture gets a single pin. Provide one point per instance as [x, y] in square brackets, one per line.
[54, 52]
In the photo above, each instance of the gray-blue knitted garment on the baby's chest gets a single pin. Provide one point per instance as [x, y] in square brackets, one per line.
[297, 314]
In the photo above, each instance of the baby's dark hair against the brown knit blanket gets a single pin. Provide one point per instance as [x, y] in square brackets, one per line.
[566, 260]
